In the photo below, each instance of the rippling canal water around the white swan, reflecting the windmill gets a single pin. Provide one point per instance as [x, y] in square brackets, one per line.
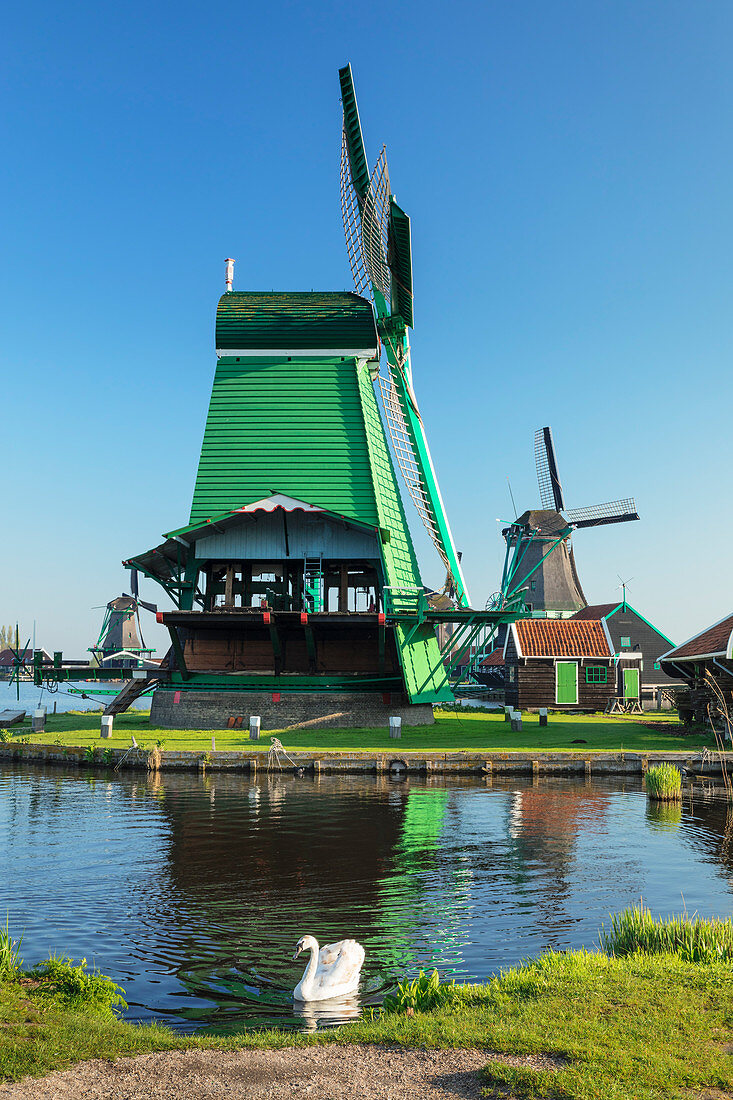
[192, 892]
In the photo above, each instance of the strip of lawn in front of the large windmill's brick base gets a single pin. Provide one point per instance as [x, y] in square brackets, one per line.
[453, 733]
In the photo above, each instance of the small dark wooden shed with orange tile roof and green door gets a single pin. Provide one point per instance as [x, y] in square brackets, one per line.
[560, 664]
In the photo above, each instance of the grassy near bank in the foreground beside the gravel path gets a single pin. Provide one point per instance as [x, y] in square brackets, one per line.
[632, 1029]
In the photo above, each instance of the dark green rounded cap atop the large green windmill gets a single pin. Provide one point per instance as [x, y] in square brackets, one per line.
[258, 322]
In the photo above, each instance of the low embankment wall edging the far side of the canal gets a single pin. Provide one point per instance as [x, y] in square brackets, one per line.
[487, 764]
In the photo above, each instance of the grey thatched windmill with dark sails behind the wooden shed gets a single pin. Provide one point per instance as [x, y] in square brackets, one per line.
[543, 565]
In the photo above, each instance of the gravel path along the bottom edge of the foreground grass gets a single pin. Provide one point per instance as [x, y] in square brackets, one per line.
[318, 1073]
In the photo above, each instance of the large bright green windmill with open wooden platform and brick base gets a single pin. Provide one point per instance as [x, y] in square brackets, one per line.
[297, 590]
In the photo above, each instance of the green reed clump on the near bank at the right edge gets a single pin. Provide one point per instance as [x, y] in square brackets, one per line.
[694, 939]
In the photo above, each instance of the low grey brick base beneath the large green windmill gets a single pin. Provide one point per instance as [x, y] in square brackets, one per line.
[202, 710]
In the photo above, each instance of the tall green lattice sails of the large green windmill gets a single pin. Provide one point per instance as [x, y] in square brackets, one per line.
[379, 249]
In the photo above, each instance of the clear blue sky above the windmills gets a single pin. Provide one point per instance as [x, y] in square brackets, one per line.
[567, 168]
